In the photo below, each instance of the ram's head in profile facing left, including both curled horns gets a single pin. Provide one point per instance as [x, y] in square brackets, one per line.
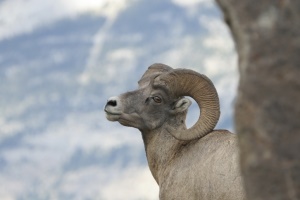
[160, 100]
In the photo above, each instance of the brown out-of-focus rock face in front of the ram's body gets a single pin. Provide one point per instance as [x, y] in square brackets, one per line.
[267, 112]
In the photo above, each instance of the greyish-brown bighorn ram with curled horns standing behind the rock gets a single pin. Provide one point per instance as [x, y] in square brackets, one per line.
[195, 163]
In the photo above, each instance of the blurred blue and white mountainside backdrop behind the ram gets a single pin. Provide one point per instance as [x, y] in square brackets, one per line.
[60, 60]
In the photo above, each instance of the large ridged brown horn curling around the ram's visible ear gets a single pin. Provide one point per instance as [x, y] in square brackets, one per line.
[184, 82]
